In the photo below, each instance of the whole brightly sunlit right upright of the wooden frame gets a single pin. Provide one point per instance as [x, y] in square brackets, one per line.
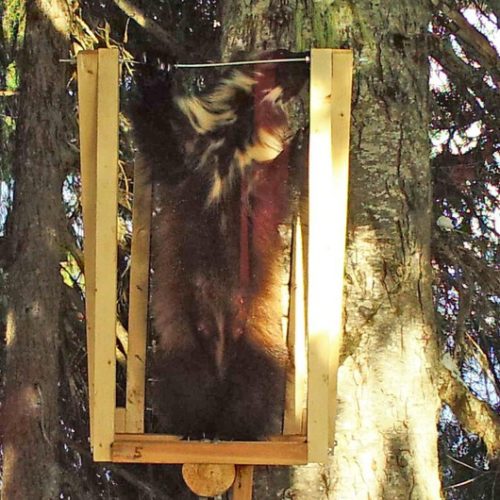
[331, 80]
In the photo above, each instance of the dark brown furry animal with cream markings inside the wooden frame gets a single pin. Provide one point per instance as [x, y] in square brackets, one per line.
[220, 162]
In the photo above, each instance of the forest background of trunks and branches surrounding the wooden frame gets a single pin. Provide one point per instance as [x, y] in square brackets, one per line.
[419, 383]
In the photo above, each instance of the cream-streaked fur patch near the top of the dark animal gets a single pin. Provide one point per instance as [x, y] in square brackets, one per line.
[210, 114]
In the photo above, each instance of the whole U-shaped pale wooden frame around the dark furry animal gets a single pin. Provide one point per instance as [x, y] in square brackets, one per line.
[317, 281]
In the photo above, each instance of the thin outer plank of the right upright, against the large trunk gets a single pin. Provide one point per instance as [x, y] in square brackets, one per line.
[342, 65]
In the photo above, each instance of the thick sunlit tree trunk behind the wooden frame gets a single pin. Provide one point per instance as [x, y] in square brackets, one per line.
[386, 437]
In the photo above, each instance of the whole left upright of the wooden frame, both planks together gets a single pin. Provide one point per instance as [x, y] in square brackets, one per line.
[98, 108]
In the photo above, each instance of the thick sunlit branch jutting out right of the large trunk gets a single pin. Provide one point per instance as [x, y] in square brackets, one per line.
[475, 415]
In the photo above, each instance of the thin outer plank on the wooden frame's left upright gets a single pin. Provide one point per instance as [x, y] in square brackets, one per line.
[87, 116]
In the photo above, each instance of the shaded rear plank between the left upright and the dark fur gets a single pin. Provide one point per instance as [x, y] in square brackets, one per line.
[138, 307]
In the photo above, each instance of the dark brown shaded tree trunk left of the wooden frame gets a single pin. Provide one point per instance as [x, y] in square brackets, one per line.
[30, 420]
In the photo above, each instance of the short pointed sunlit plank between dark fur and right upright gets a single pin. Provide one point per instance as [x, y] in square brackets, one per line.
[296, 339]
